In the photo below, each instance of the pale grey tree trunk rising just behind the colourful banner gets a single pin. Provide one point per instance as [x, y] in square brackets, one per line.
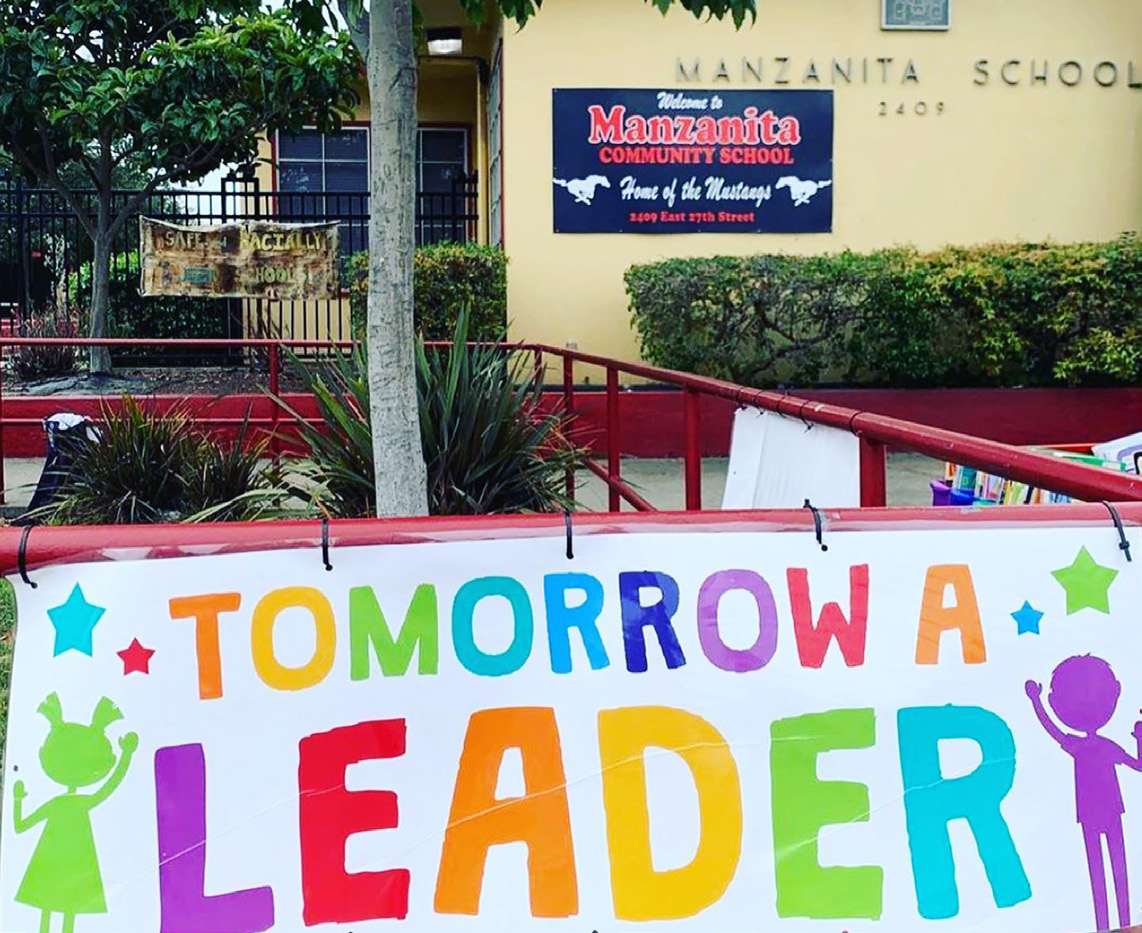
[390, 334]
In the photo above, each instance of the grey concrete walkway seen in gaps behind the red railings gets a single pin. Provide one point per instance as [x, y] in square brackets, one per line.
[660, 481]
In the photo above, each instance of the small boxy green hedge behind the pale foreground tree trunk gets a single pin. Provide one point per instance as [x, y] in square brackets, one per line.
[447, 279]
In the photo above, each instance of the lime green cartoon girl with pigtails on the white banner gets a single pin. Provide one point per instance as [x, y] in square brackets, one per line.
[63, 876]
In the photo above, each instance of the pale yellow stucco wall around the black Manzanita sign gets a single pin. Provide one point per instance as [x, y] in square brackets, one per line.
[1001, 163]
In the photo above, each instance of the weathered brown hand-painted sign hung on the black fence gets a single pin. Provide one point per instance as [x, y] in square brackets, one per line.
[258, 260]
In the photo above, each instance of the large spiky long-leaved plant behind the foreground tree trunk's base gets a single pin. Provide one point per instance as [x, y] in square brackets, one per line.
[488, 445]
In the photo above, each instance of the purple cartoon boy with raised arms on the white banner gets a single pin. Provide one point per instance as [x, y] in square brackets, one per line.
[1084, 694]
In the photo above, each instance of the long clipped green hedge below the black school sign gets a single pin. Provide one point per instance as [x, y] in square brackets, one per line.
[991, 316]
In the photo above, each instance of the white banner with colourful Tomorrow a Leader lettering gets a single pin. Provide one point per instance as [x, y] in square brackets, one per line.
[721, 733]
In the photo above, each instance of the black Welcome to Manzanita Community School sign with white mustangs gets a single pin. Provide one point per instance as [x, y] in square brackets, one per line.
[694, 162]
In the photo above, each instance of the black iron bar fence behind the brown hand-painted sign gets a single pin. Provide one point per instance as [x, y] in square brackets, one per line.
[46, 261]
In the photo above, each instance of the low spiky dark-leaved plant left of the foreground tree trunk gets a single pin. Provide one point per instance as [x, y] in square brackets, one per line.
[149, 469]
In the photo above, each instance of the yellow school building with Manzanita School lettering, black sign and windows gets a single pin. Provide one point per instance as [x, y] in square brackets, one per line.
[604, 135]
